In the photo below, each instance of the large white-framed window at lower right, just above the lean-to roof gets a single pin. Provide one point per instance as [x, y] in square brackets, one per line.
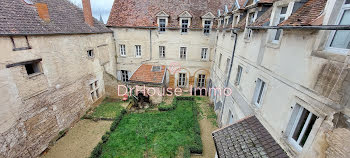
[302, 124]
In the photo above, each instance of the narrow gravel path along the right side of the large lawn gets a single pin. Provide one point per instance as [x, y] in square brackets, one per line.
[207, 128]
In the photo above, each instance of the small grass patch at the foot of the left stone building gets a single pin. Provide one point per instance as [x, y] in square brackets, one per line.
[107, 110]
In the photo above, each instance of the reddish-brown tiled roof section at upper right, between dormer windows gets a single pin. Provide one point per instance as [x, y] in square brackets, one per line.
[307, 14]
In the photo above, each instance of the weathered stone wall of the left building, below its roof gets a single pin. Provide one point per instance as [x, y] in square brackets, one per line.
[36, 107]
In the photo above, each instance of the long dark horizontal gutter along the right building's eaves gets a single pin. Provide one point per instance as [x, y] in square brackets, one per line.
[322, 27]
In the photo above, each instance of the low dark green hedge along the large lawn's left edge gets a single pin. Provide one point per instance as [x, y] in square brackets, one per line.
[96, 153]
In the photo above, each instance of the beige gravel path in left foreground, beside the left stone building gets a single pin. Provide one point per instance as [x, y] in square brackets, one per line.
[80, 140]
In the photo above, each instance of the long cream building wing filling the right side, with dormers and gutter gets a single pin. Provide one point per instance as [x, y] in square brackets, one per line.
[287, 64]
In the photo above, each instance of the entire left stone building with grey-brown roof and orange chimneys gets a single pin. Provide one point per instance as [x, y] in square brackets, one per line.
[53, 60]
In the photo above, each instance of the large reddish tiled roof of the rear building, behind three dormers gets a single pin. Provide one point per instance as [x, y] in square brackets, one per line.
[142, 13]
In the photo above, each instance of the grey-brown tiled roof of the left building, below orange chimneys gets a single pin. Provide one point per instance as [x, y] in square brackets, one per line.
[17, 17]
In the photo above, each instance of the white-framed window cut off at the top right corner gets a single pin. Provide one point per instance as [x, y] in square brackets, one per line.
[341, 38]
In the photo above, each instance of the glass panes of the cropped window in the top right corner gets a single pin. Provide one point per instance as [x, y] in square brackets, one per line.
[341, 38]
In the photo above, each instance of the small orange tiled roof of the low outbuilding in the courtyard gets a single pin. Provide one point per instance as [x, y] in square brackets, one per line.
[144, 74]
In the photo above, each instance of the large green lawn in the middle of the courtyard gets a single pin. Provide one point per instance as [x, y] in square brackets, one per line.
[155, 134]
